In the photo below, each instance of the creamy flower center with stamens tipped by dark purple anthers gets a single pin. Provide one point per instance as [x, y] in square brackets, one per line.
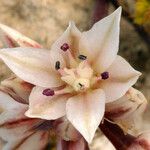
[79, 77]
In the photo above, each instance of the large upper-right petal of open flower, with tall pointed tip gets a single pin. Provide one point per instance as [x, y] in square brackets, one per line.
[100, 44]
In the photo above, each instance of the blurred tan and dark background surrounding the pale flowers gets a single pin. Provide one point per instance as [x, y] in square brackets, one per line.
[45, 20]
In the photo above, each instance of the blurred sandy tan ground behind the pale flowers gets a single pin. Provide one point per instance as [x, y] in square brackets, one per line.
[45, 20]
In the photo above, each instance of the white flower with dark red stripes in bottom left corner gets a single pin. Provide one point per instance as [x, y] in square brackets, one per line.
[16, 130]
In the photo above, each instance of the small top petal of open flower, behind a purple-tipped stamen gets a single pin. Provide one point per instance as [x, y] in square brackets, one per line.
[71, 36]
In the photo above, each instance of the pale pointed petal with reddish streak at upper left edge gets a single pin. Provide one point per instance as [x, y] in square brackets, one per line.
[12, 38]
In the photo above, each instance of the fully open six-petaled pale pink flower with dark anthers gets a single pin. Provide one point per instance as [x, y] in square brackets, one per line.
[80, 73]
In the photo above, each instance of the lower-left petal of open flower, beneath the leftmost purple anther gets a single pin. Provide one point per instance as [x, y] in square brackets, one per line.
[46, 107]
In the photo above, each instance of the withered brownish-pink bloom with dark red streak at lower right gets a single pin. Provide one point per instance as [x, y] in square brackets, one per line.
[127, 111]
